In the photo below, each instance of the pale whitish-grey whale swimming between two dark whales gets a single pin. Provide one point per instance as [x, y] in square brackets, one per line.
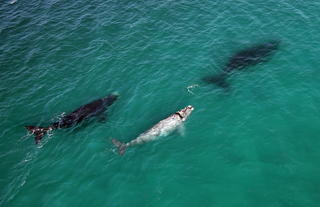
[162, 128]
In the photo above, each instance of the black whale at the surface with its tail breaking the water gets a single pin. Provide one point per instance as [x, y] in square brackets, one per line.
[94, 108]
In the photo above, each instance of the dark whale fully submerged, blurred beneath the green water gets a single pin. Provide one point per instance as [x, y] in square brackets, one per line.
[243, 59]
